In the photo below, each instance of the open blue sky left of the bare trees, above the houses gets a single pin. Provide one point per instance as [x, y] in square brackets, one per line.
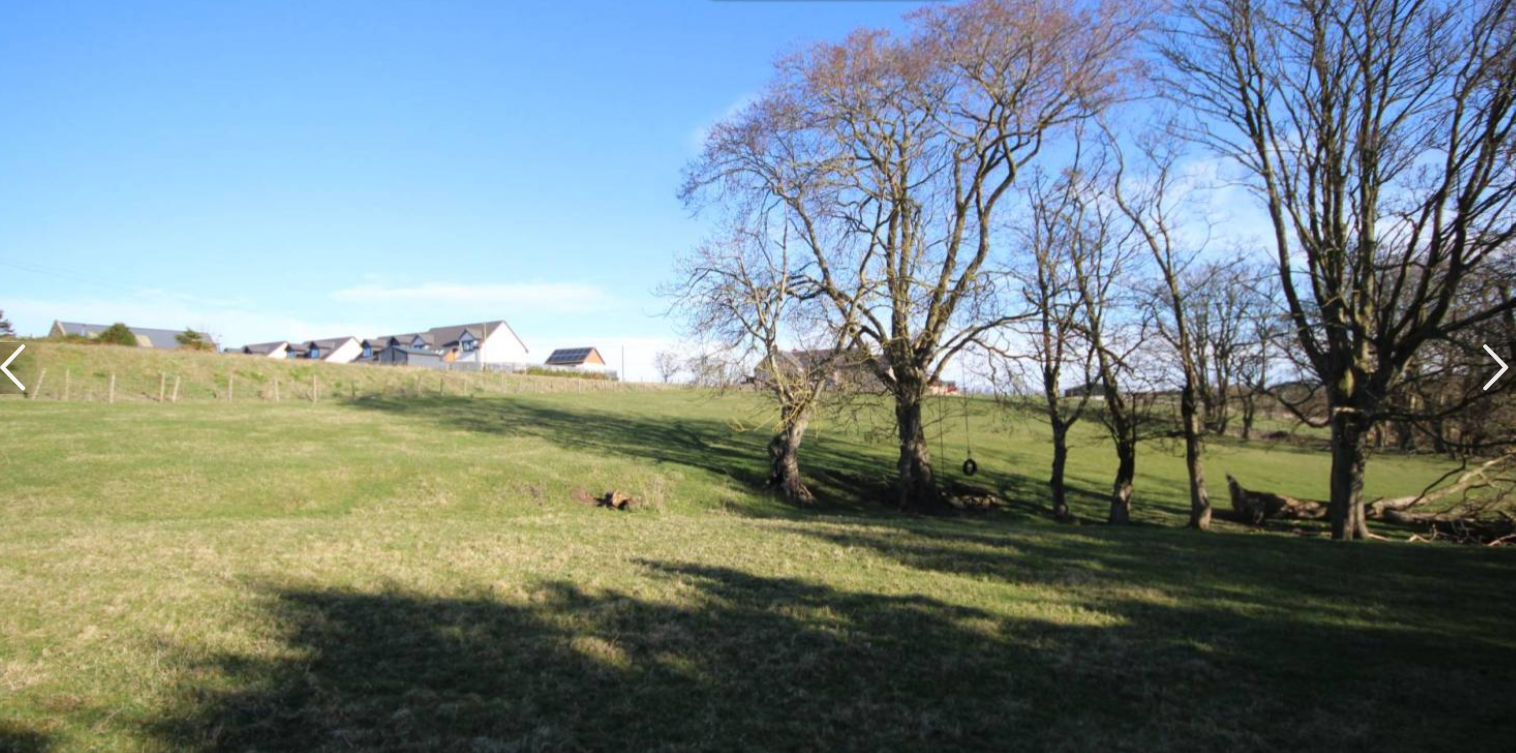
[287, 170]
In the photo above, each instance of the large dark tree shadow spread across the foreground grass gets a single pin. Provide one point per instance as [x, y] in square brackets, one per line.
[736, 661]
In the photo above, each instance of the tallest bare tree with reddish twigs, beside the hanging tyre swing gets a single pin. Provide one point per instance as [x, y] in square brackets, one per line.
[909, 148]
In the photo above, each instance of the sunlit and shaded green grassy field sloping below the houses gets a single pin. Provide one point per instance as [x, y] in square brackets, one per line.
[413, 573]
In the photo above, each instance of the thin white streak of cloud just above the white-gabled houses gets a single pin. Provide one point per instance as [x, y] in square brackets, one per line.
[542, 296]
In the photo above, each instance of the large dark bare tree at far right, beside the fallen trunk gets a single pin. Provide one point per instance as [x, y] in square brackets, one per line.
[1379, 139]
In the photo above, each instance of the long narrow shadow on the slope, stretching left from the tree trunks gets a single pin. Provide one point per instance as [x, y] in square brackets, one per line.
[844, 473]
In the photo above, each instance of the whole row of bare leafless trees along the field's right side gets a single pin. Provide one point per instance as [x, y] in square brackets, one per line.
[1050, 189]
